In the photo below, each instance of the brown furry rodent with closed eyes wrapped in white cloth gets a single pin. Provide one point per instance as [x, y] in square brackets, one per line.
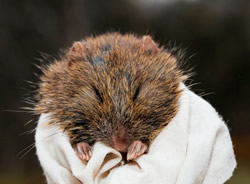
[121, 90]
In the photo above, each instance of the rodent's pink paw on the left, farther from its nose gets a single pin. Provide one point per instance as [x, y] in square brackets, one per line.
[83, 151]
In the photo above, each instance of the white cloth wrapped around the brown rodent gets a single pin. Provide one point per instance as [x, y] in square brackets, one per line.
[194, 148]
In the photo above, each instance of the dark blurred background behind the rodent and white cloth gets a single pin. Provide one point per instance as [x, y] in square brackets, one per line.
[215, 35]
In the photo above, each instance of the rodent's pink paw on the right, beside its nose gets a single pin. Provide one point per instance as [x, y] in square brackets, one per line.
[136, 149]
